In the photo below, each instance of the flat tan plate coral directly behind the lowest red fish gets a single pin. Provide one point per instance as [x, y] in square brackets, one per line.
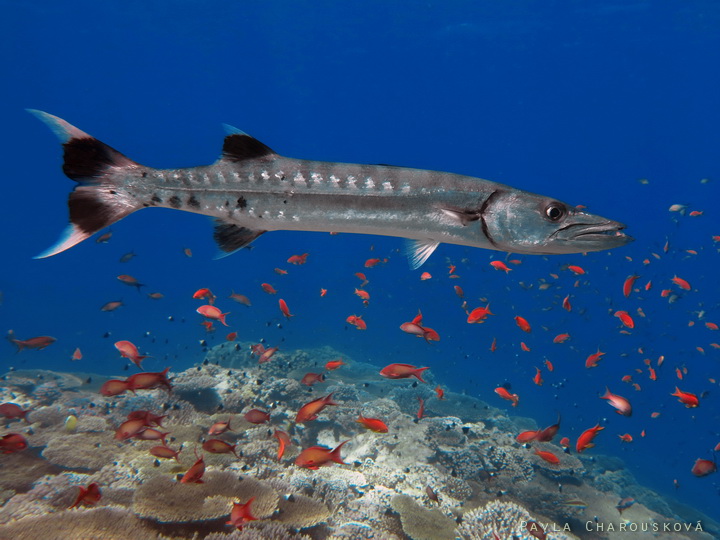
[164, 499]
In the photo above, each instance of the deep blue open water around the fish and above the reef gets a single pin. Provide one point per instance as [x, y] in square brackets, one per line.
[567, 99]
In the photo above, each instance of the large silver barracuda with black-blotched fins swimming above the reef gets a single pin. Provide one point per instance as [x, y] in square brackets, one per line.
[251, 190]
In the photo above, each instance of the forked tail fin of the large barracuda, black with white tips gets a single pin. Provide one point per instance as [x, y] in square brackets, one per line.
[94, 204]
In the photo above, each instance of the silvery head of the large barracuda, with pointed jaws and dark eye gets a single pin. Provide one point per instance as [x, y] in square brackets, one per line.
[522, 222]
